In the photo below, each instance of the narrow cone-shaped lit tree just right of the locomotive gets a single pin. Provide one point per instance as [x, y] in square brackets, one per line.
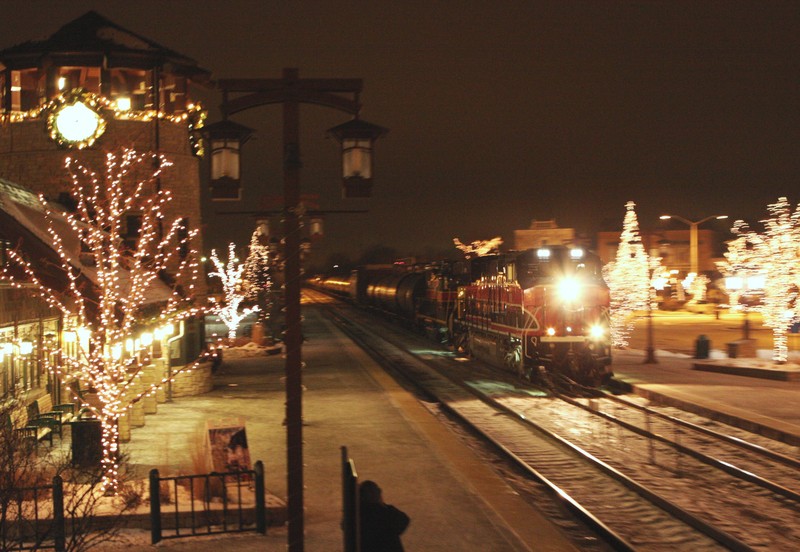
[628, 278]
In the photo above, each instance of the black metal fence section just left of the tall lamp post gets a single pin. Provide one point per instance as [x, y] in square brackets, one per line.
[206, 504]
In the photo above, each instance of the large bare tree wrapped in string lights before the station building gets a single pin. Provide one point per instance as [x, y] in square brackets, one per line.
[110, 285]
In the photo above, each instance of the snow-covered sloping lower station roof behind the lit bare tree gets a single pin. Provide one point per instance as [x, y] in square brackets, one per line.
[24, 206]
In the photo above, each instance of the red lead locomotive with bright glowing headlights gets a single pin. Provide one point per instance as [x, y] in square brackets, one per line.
[543, 309]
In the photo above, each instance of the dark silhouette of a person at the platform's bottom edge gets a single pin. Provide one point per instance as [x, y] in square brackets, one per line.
[381, 523]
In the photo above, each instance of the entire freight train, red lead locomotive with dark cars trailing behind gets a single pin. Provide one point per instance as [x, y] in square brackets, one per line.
[540, 313]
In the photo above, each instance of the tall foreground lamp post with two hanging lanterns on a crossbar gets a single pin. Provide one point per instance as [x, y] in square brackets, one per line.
[356, 138]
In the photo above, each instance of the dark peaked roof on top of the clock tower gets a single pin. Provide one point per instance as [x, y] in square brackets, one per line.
[93, 40]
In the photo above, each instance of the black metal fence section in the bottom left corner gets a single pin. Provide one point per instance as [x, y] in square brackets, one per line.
[32, 520]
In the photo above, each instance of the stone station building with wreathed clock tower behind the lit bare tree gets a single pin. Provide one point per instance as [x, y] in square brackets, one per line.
[89, 89]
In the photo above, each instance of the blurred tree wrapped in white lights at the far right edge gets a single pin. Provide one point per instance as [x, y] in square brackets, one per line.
[775, 254]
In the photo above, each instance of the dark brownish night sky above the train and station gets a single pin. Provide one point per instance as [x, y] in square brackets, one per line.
[500, 112]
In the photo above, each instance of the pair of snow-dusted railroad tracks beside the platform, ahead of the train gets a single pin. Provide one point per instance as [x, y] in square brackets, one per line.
[632, 486]
